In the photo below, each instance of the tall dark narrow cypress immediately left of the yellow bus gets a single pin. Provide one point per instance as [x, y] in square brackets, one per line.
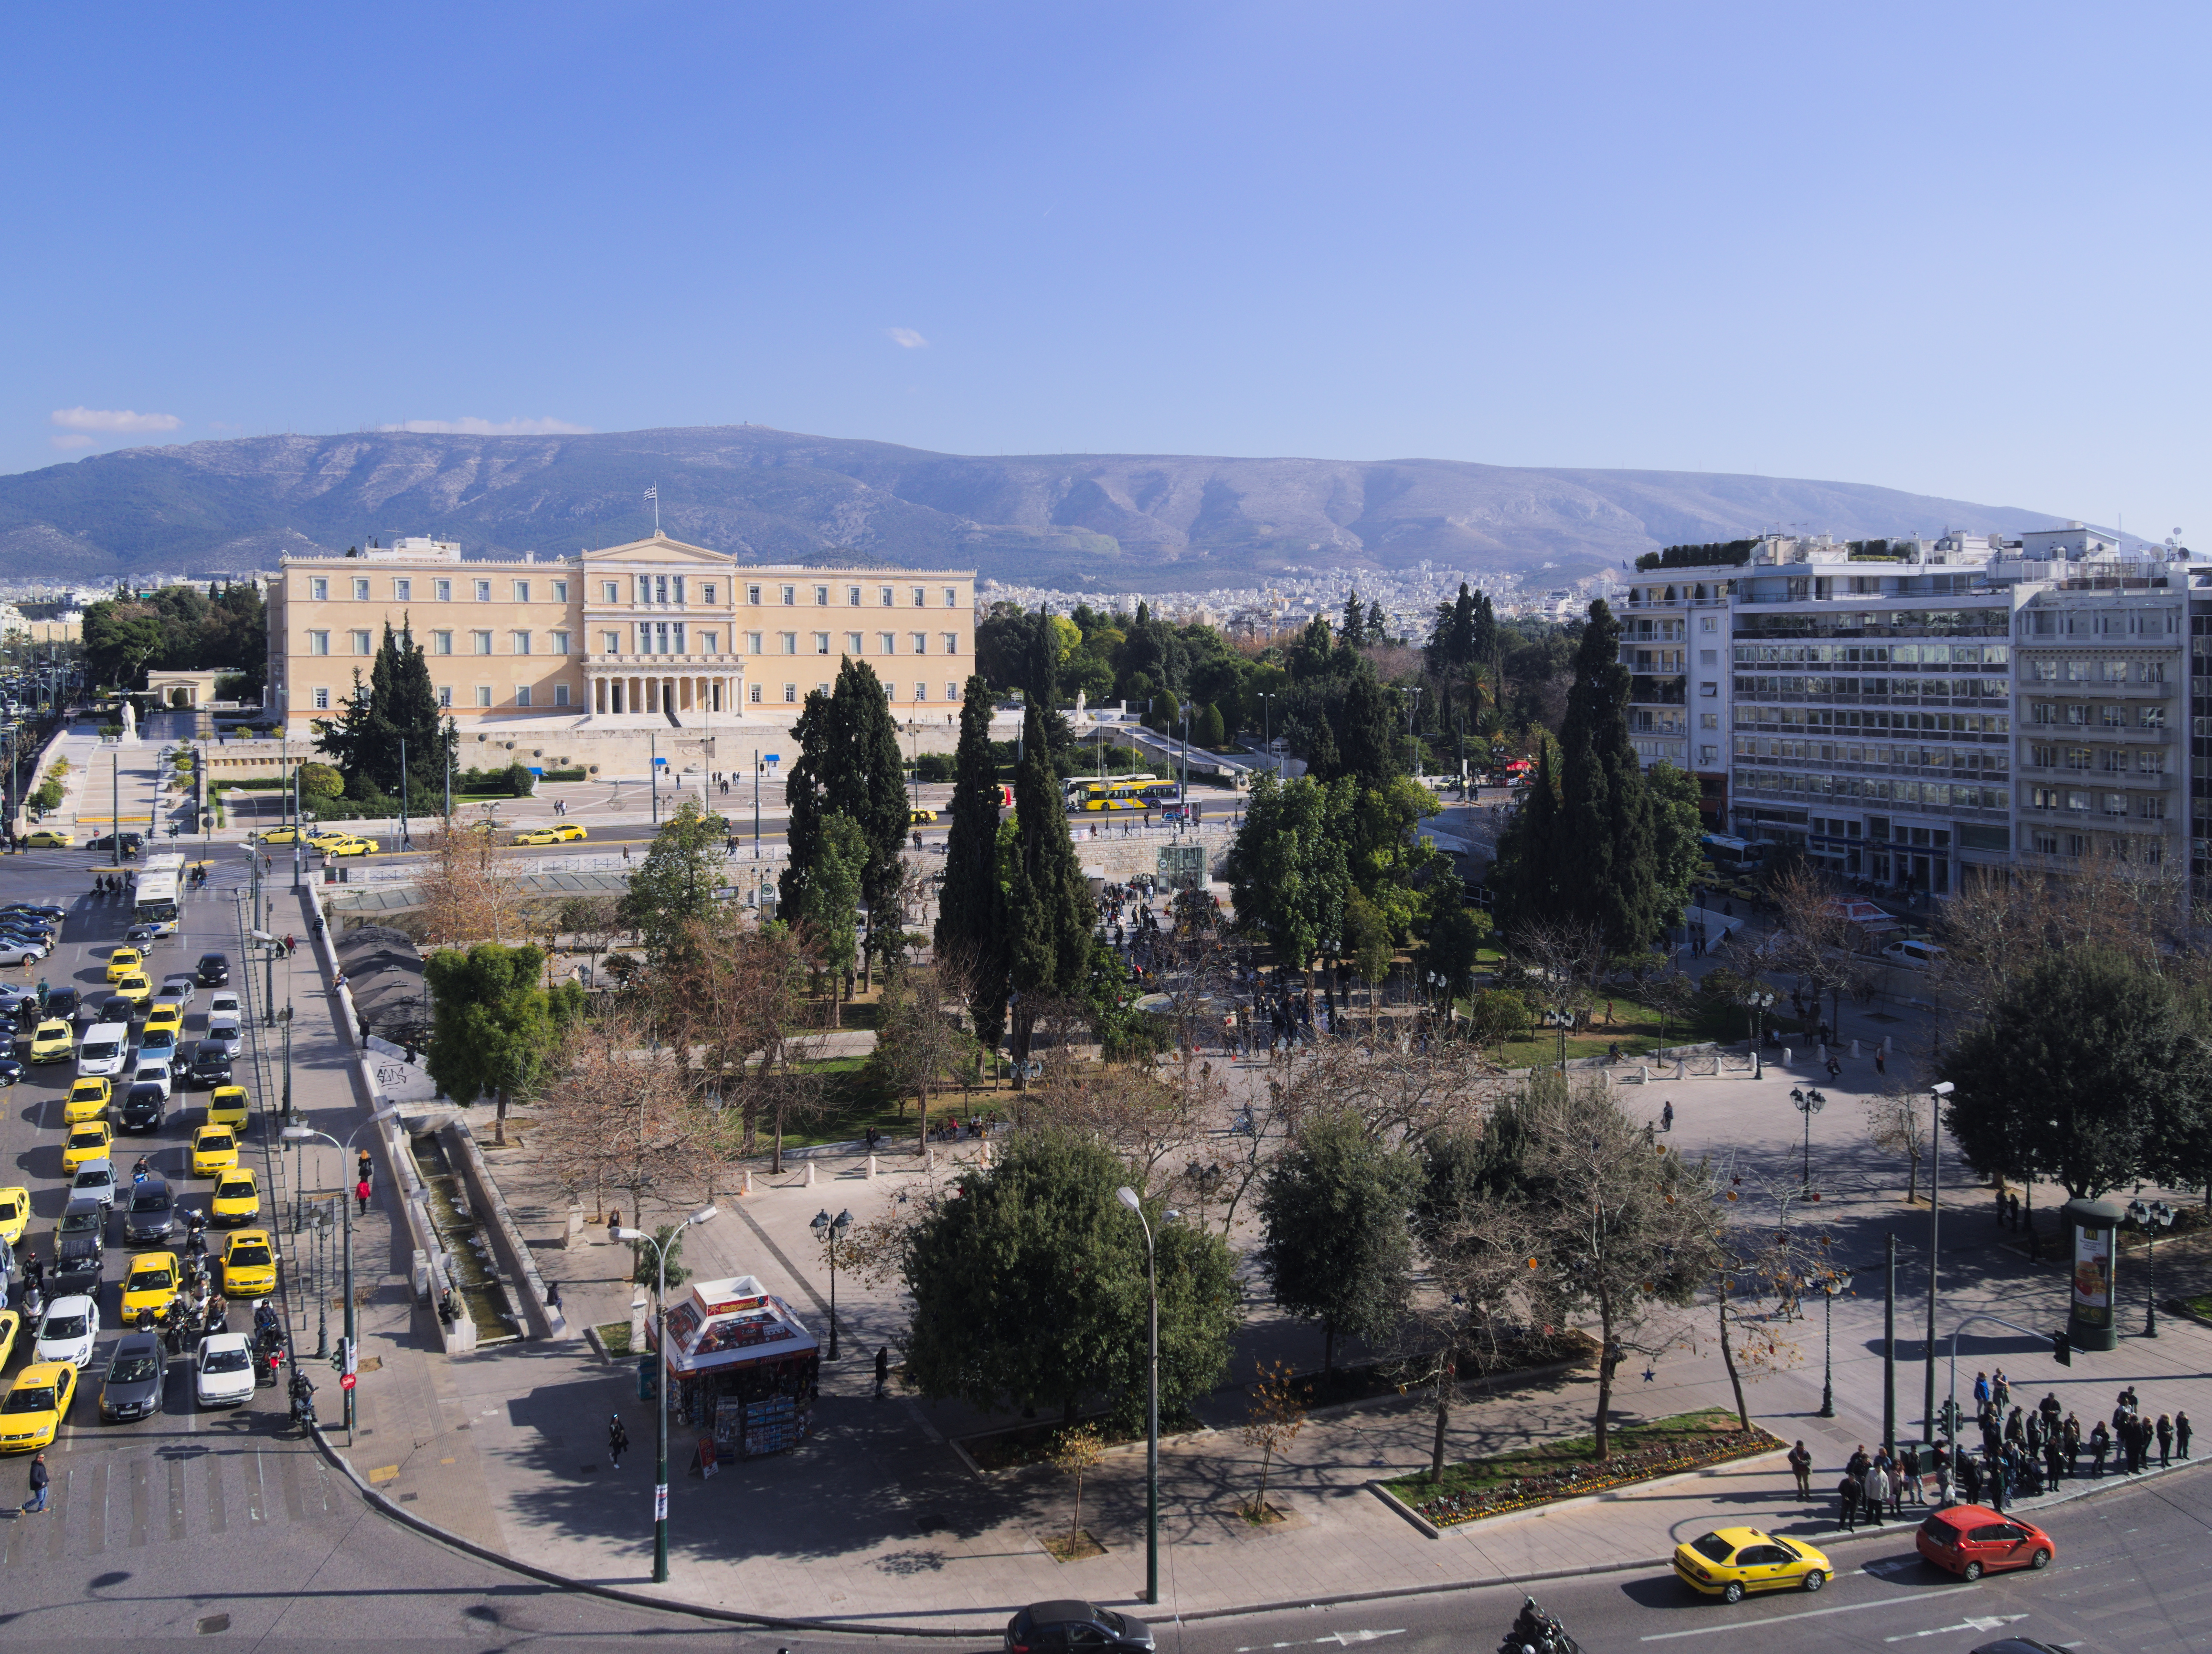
[1047, 899]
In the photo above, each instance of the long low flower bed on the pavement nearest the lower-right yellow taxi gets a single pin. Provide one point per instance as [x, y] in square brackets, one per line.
[1567, 1472]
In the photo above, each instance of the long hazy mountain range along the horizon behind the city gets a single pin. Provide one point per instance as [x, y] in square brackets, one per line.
[1109, 521]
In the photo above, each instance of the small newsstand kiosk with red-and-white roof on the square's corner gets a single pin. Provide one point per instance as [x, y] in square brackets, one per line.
[742, 1363]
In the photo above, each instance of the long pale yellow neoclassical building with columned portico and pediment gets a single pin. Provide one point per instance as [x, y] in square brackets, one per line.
[620, 640]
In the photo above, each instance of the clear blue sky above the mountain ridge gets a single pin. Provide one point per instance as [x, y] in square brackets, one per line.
[1937, 247]
